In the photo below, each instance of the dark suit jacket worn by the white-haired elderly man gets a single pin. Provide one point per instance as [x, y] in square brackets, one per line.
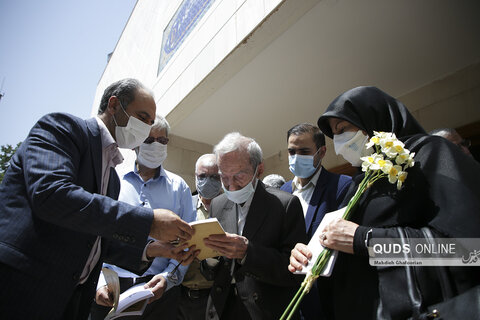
[273, 226]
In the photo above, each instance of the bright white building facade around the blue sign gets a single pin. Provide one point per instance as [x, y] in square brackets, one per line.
[226, 24]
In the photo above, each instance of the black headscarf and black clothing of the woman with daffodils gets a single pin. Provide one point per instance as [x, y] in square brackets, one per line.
[442, 191]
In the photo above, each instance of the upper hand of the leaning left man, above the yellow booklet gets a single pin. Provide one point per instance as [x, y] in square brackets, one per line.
[167, 226]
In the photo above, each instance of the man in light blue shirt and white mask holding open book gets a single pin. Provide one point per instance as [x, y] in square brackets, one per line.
[150, 185]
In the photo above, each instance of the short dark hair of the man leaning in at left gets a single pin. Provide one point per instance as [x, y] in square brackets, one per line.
[125, 90]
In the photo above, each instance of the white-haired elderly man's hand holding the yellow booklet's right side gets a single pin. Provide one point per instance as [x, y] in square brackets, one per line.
[230, 245]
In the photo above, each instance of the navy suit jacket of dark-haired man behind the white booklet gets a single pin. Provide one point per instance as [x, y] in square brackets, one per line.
[327, 196]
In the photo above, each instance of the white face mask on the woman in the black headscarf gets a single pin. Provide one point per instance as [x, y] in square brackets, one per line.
[351, 145]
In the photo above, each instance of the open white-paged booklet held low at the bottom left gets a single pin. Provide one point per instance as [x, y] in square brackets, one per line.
[132, 302]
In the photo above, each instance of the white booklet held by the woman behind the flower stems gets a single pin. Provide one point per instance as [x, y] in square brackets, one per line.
[316, 248]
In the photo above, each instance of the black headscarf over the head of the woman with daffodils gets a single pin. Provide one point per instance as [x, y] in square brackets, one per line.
[369, 109]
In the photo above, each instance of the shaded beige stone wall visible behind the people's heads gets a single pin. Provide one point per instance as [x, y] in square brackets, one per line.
[452, 101]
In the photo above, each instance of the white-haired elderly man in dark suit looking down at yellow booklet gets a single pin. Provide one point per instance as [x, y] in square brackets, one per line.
[251, 279]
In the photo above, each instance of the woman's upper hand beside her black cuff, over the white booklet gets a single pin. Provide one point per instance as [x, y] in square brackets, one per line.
[338, 235]
